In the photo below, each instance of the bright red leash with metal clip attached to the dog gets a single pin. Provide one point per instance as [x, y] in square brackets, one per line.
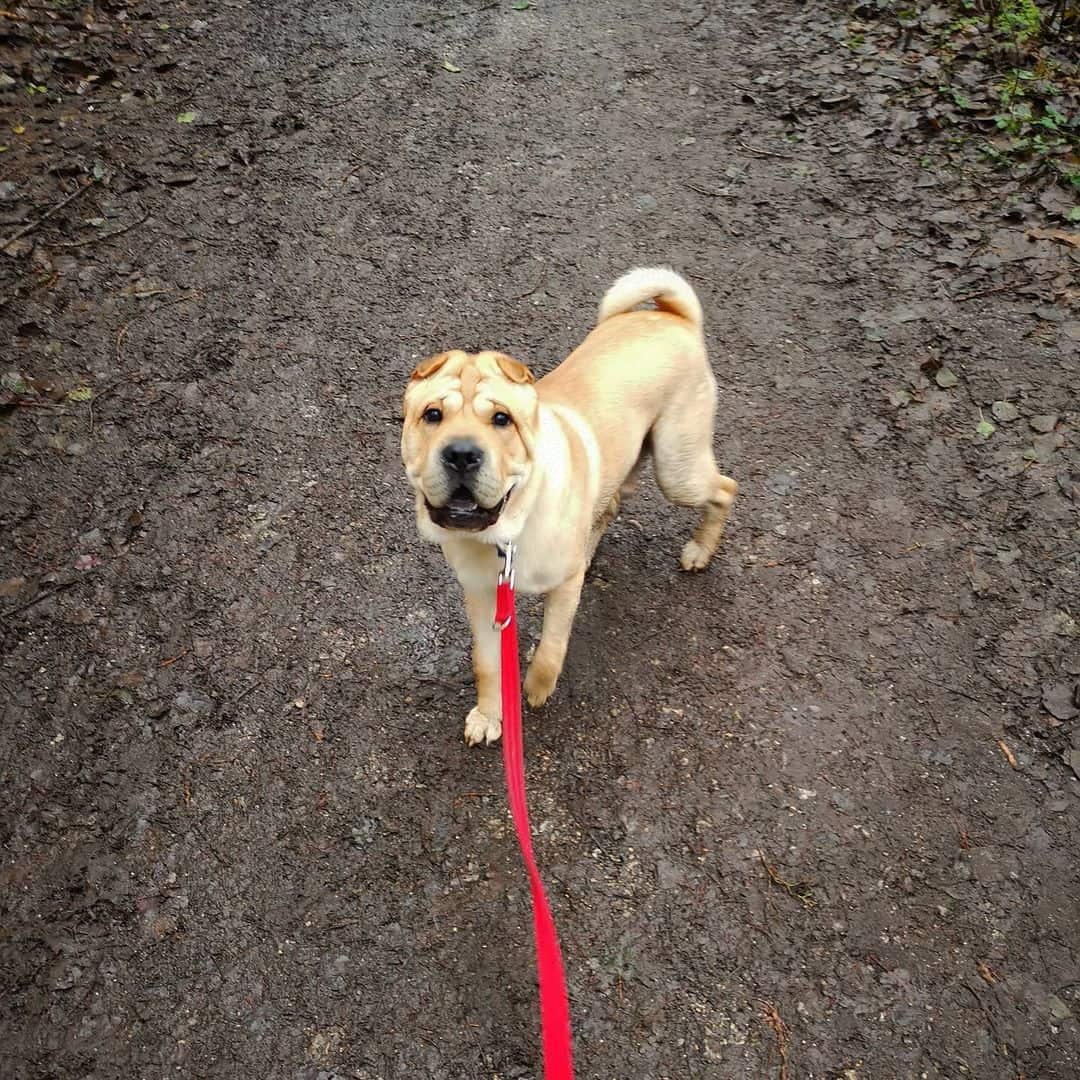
[555, 1006]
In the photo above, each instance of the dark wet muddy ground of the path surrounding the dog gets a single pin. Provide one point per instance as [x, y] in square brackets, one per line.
[811, 815]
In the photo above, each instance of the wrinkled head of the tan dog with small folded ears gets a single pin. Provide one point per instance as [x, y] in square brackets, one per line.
[468, 440]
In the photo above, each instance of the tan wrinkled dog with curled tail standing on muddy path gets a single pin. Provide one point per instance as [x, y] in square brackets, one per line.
[496, 458]
